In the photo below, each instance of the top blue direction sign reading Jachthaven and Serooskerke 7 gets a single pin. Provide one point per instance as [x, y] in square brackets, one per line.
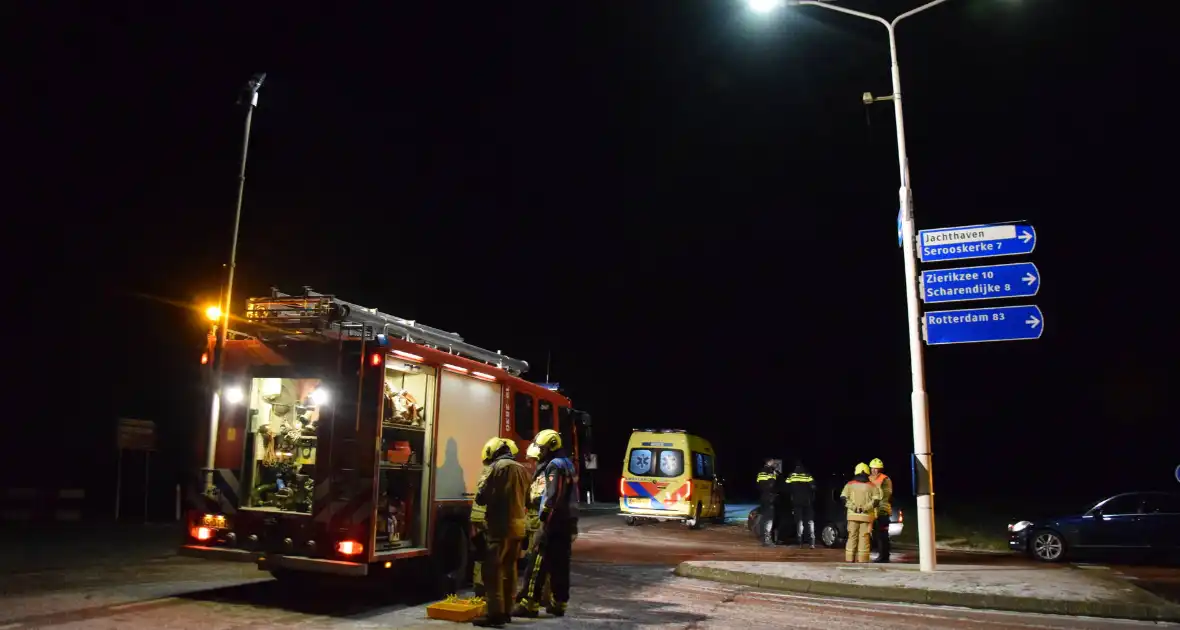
[976, 242]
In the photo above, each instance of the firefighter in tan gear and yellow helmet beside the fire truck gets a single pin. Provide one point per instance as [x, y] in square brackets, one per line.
[502, 496]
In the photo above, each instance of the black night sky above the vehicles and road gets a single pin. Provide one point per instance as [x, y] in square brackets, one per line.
[685, 205]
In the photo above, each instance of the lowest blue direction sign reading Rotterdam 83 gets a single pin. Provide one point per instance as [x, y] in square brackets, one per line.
[984, 325]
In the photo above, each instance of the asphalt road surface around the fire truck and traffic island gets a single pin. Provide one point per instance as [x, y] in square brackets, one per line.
[622, 579]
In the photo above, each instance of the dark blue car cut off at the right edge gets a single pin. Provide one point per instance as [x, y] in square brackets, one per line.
[1136, 522]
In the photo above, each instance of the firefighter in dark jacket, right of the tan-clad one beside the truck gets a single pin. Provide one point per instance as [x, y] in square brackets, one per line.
[556, 487]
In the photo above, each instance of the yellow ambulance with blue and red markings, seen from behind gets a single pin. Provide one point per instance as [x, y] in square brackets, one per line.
[670, 475]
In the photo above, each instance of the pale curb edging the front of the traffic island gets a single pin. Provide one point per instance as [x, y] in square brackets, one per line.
[1148, 607]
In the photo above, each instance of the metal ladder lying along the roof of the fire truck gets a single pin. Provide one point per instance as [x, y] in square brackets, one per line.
[314, 313]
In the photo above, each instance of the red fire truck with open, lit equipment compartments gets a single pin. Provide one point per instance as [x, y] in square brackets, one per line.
[350, 441]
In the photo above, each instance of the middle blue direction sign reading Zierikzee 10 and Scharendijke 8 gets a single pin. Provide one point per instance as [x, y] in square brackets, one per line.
[992, 283]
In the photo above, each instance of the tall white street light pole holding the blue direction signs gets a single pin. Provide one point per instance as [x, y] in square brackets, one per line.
[913, 298]
